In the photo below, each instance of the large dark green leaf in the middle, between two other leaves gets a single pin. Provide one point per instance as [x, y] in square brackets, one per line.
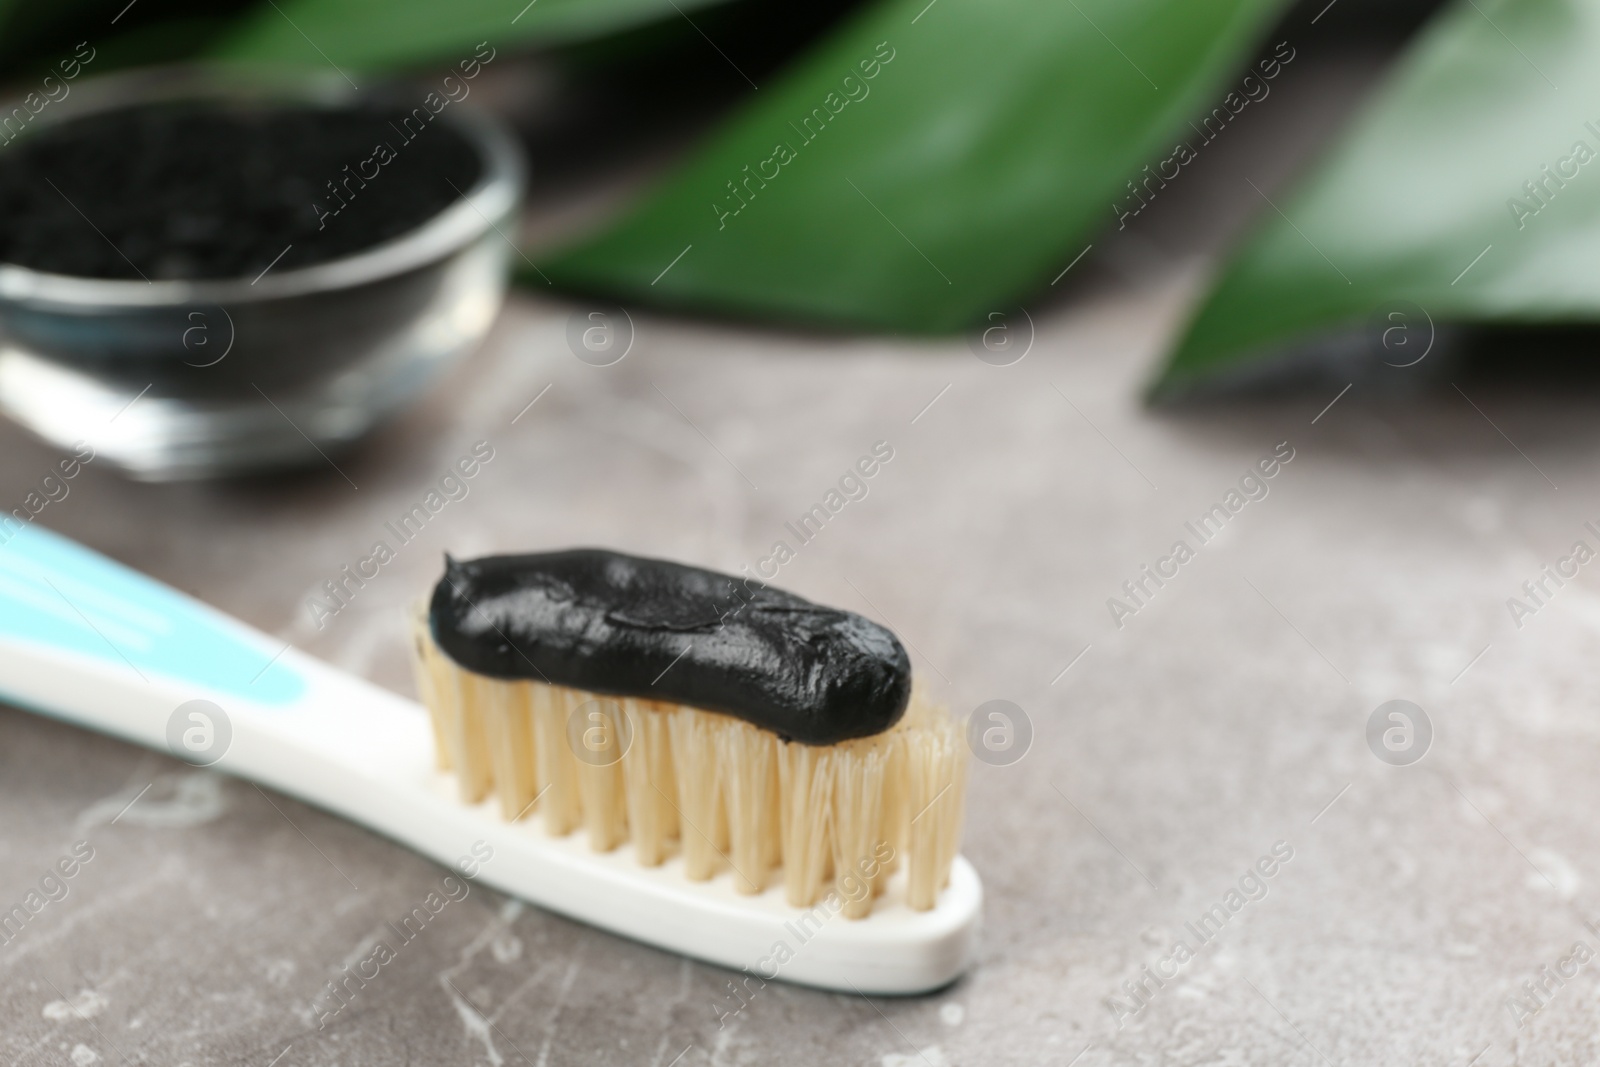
[988, 146]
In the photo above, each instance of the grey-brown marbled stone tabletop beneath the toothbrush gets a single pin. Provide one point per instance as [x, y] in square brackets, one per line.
[1222, 724]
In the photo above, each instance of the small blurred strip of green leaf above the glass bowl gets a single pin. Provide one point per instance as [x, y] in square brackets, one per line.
[374, 36]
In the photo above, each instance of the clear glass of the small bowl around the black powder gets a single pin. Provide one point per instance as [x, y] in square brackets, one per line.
[186, 380]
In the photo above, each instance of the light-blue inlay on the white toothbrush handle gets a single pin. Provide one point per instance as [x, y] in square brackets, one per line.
[57, 593]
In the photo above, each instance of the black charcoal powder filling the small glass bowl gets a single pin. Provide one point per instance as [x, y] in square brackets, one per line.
[225, 190]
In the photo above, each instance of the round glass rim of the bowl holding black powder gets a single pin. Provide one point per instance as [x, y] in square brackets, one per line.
[490, 202]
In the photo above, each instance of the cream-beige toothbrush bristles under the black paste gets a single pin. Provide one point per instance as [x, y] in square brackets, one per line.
[724, 794]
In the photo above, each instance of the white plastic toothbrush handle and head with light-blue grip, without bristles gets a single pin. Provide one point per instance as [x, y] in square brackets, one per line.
[92, 642]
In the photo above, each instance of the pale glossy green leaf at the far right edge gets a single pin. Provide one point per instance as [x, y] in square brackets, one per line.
[1418, 202]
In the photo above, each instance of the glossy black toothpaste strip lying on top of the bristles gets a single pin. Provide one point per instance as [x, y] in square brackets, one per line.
[626, 626]
